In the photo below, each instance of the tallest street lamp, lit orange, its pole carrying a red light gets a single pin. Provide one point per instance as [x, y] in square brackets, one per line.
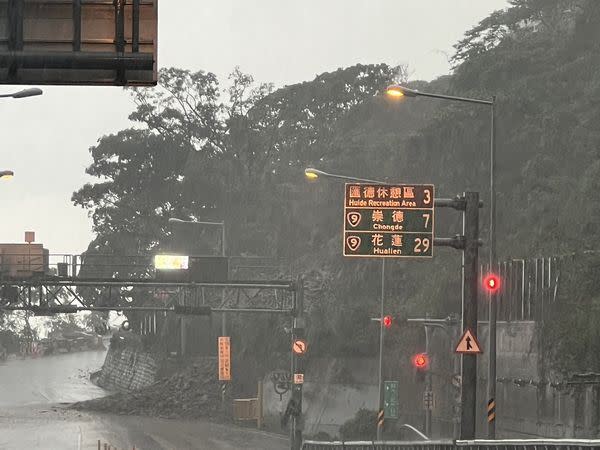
[397, 91]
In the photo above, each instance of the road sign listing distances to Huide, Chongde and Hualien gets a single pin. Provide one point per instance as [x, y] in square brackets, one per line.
[392, 221]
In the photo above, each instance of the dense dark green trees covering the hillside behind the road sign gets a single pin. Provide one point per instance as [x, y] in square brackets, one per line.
[238, 155]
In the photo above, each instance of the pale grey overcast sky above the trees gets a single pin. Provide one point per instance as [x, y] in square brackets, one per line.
[45, 140]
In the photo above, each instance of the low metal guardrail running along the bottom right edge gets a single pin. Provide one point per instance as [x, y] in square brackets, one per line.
[500, 444]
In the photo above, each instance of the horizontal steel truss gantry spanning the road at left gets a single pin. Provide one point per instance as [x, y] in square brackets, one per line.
[62, 295]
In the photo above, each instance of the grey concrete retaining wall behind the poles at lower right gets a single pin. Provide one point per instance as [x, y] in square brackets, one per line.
[335, 389]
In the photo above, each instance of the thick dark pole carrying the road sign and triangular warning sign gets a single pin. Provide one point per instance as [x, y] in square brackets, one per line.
[469, 312]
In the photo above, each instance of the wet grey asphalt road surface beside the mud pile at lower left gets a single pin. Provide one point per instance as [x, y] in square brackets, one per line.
[33, 414]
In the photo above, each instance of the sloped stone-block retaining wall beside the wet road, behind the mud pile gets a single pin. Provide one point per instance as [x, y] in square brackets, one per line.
[126, 369]
